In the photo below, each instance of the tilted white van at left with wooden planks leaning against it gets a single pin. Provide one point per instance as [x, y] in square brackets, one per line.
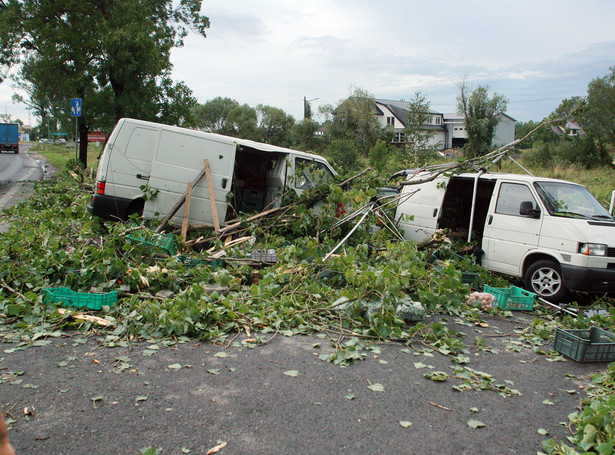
[144, 158]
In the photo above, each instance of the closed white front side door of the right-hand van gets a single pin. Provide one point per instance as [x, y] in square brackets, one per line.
[512, 227]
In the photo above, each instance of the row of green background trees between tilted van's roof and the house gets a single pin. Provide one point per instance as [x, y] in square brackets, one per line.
[350, 135]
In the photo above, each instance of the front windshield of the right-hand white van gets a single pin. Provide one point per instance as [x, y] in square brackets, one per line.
[569, 200]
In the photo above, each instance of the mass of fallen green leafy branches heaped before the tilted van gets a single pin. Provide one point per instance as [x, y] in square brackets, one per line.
[53, 242]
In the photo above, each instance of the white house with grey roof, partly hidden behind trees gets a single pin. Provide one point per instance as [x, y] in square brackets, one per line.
[450, 129]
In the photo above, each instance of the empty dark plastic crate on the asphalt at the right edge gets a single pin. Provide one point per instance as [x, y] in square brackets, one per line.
[590, 345]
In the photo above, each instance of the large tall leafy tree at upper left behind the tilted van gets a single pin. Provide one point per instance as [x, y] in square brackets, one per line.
[112, 54]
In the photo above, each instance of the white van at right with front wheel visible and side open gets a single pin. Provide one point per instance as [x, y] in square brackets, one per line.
[551, 233]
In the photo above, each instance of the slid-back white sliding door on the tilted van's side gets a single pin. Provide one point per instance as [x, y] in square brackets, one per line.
[179, 160]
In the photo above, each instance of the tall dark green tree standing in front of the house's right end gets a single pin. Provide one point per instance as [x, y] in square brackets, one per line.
[482, 114]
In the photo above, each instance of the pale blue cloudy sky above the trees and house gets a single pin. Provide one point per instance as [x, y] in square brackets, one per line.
[276, 52]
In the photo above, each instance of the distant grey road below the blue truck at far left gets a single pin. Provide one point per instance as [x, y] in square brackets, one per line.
[17, 172]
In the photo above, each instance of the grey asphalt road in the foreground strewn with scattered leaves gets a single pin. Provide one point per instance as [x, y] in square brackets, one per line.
[280, 398]
